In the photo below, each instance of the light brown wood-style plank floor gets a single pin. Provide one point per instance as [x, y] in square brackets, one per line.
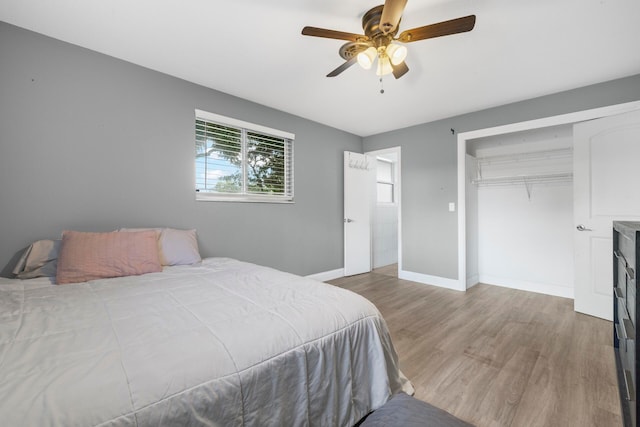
[498, 357]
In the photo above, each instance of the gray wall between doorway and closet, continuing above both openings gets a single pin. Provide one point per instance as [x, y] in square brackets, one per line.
[429, 168]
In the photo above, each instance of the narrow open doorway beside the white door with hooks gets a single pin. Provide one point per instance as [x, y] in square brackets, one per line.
[385, 212]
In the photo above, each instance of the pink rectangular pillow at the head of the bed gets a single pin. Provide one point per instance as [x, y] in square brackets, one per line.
[89, 256]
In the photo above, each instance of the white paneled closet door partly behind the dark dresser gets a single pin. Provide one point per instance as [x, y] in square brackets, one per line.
[606, 175]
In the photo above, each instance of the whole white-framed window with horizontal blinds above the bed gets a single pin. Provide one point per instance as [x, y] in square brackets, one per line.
[239, 161]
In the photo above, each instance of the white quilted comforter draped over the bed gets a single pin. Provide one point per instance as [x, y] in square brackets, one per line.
[224, 343]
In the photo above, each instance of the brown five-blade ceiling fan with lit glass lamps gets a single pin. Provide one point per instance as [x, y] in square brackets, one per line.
[380, 25]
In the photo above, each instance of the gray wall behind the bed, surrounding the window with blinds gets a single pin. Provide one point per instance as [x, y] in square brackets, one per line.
[89, 142]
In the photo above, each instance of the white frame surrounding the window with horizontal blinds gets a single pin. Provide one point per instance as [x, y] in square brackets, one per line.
[245, 128]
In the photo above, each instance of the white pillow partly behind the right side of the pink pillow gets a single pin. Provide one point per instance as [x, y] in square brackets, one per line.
[176, 247]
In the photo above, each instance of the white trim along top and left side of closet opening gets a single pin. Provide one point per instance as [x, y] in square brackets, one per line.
[465, 137]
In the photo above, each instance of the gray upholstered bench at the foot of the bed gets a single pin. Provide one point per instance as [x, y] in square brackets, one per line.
[403, 410]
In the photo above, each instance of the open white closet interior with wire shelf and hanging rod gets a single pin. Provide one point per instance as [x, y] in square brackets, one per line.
[519, 201]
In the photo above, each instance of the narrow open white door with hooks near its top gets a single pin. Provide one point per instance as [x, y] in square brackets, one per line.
[358, 170]
